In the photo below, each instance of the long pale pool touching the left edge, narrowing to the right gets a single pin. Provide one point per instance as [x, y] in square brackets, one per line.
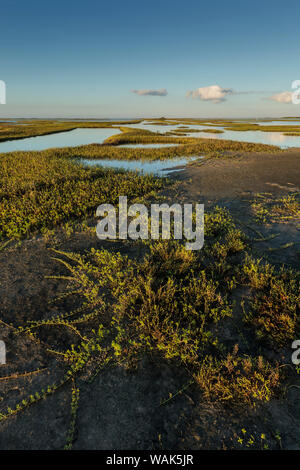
[61, 139]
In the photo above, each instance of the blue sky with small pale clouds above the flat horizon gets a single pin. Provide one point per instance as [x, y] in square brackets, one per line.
[116, 59]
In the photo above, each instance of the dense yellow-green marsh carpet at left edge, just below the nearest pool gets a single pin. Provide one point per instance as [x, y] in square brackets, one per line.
[38, 191]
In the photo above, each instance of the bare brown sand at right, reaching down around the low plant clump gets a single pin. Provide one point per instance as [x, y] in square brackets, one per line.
[233, 181]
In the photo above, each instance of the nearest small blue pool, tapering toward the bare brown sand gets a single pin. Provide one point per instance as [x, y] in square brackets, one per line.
[158, 167]
